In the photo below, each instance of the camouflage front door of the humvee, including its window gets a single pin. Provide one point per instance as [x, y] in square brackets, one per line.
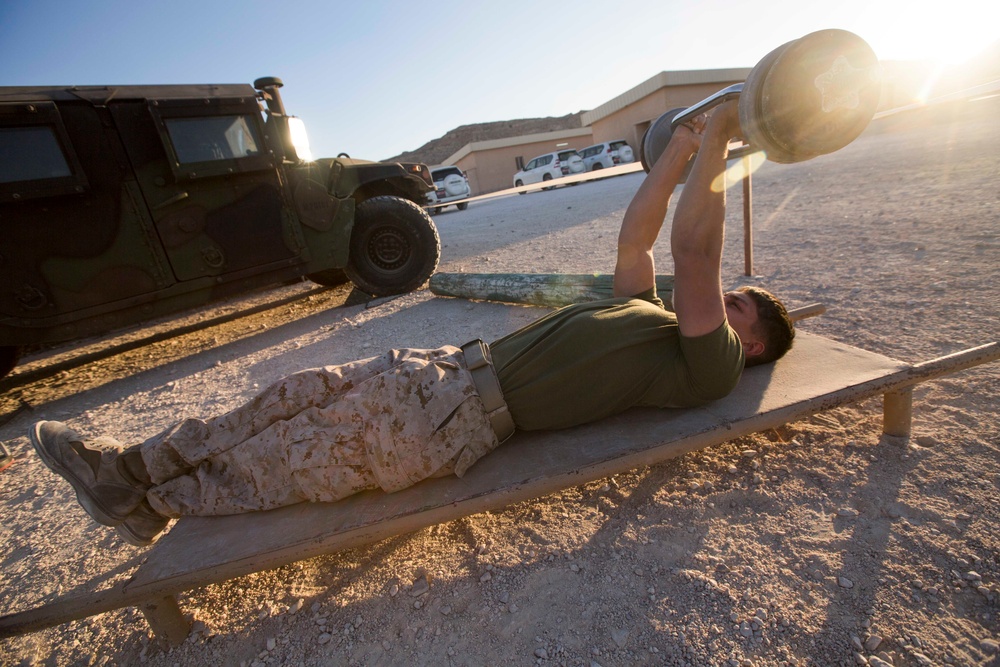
[212, 186]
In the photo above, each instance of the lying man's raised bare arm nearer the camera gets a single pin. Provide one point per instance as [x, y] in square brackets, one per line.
[697, 233]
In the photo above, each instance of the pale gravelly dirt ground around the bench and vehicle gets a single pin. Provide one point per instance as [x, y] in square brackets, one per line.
[821, 543]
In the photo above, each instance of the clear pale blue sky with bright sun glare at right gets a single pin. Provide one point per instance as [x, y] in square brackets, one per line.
[374, 78]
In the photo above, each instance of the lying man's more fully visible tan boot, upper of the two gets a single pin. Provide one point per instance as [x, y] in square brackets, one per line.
[110, 483]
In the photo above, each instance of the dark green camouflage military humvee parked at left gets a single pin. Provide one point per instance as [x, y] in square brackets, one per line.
[123, 203]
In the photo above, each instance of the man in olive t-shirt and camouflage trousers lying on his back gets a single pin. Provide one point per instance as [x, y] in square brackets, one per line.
[389, 422]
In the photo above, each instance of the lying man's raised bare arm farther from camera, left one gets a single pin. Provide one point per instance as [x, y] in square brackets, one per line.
[635, 271]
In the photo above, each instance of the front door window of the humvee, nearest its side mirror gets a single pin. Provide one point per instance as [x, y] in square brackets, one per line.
[211, 138]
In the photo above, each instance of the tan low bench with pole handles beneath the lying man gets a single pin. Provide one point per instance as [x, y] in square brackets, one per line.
[816, 375]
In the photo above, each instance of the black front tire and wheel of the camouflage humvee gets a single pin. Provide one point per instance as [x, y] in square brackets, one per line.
[394, 246]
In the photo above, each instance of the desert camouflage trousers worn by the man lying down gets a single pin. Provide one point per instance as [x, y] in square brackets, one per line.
[323, 434]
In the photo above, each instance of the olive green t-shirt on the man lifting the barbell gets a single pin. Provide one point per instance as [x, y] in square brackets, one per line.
[591, 360]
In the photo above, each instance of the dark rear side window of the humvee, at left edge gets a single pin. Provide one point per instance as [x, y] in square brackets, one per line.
[31, 153]
